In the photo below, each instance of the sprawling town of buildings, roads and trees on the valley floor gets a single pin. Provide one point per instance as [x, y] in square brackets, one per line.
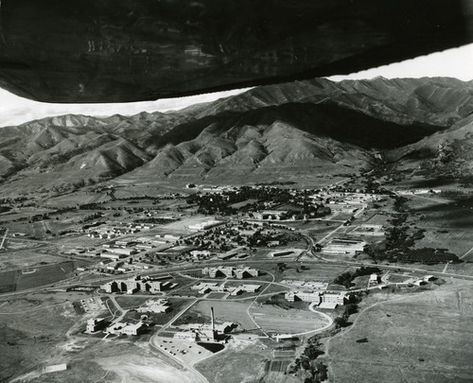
[220, 268]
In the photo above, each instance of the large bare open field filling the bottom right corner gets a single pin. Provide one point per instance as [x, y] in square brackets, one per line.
[421, 337]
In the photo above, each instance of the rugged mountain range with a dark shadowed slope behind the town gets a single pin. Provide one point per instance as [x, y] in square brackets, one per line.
[289, 131]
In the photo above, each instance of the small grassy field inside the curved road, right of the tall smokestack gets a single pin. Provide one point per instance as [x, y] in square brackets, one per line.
[293, 321]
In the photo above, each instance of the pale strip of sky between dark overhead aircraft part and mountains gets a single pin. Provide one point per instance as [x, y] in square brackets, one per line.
[455, 62]
